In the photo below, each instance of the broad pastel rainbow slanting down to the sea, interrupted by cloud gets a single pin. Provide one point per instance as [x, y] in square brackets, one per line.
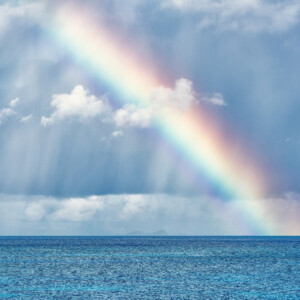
[192, 133]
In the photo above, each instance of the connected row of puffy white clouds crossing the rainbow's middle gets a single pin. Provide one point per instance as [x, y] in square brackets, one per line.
[80, 106]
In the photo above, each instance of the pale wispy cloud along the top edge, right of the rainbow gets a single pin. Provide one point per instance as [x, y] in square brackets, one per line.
[249, 15]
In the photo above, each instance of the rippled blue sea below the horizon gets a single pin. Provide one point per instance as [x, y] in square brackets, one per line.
[150, 267]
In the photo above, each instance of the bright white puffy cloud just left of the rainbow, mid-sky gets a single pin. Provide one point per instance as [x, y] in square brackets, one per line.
[76, 106]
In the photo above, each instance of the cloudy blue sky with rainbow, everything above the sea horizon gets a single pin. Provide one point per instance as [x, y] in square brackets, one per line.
[149, 117]
